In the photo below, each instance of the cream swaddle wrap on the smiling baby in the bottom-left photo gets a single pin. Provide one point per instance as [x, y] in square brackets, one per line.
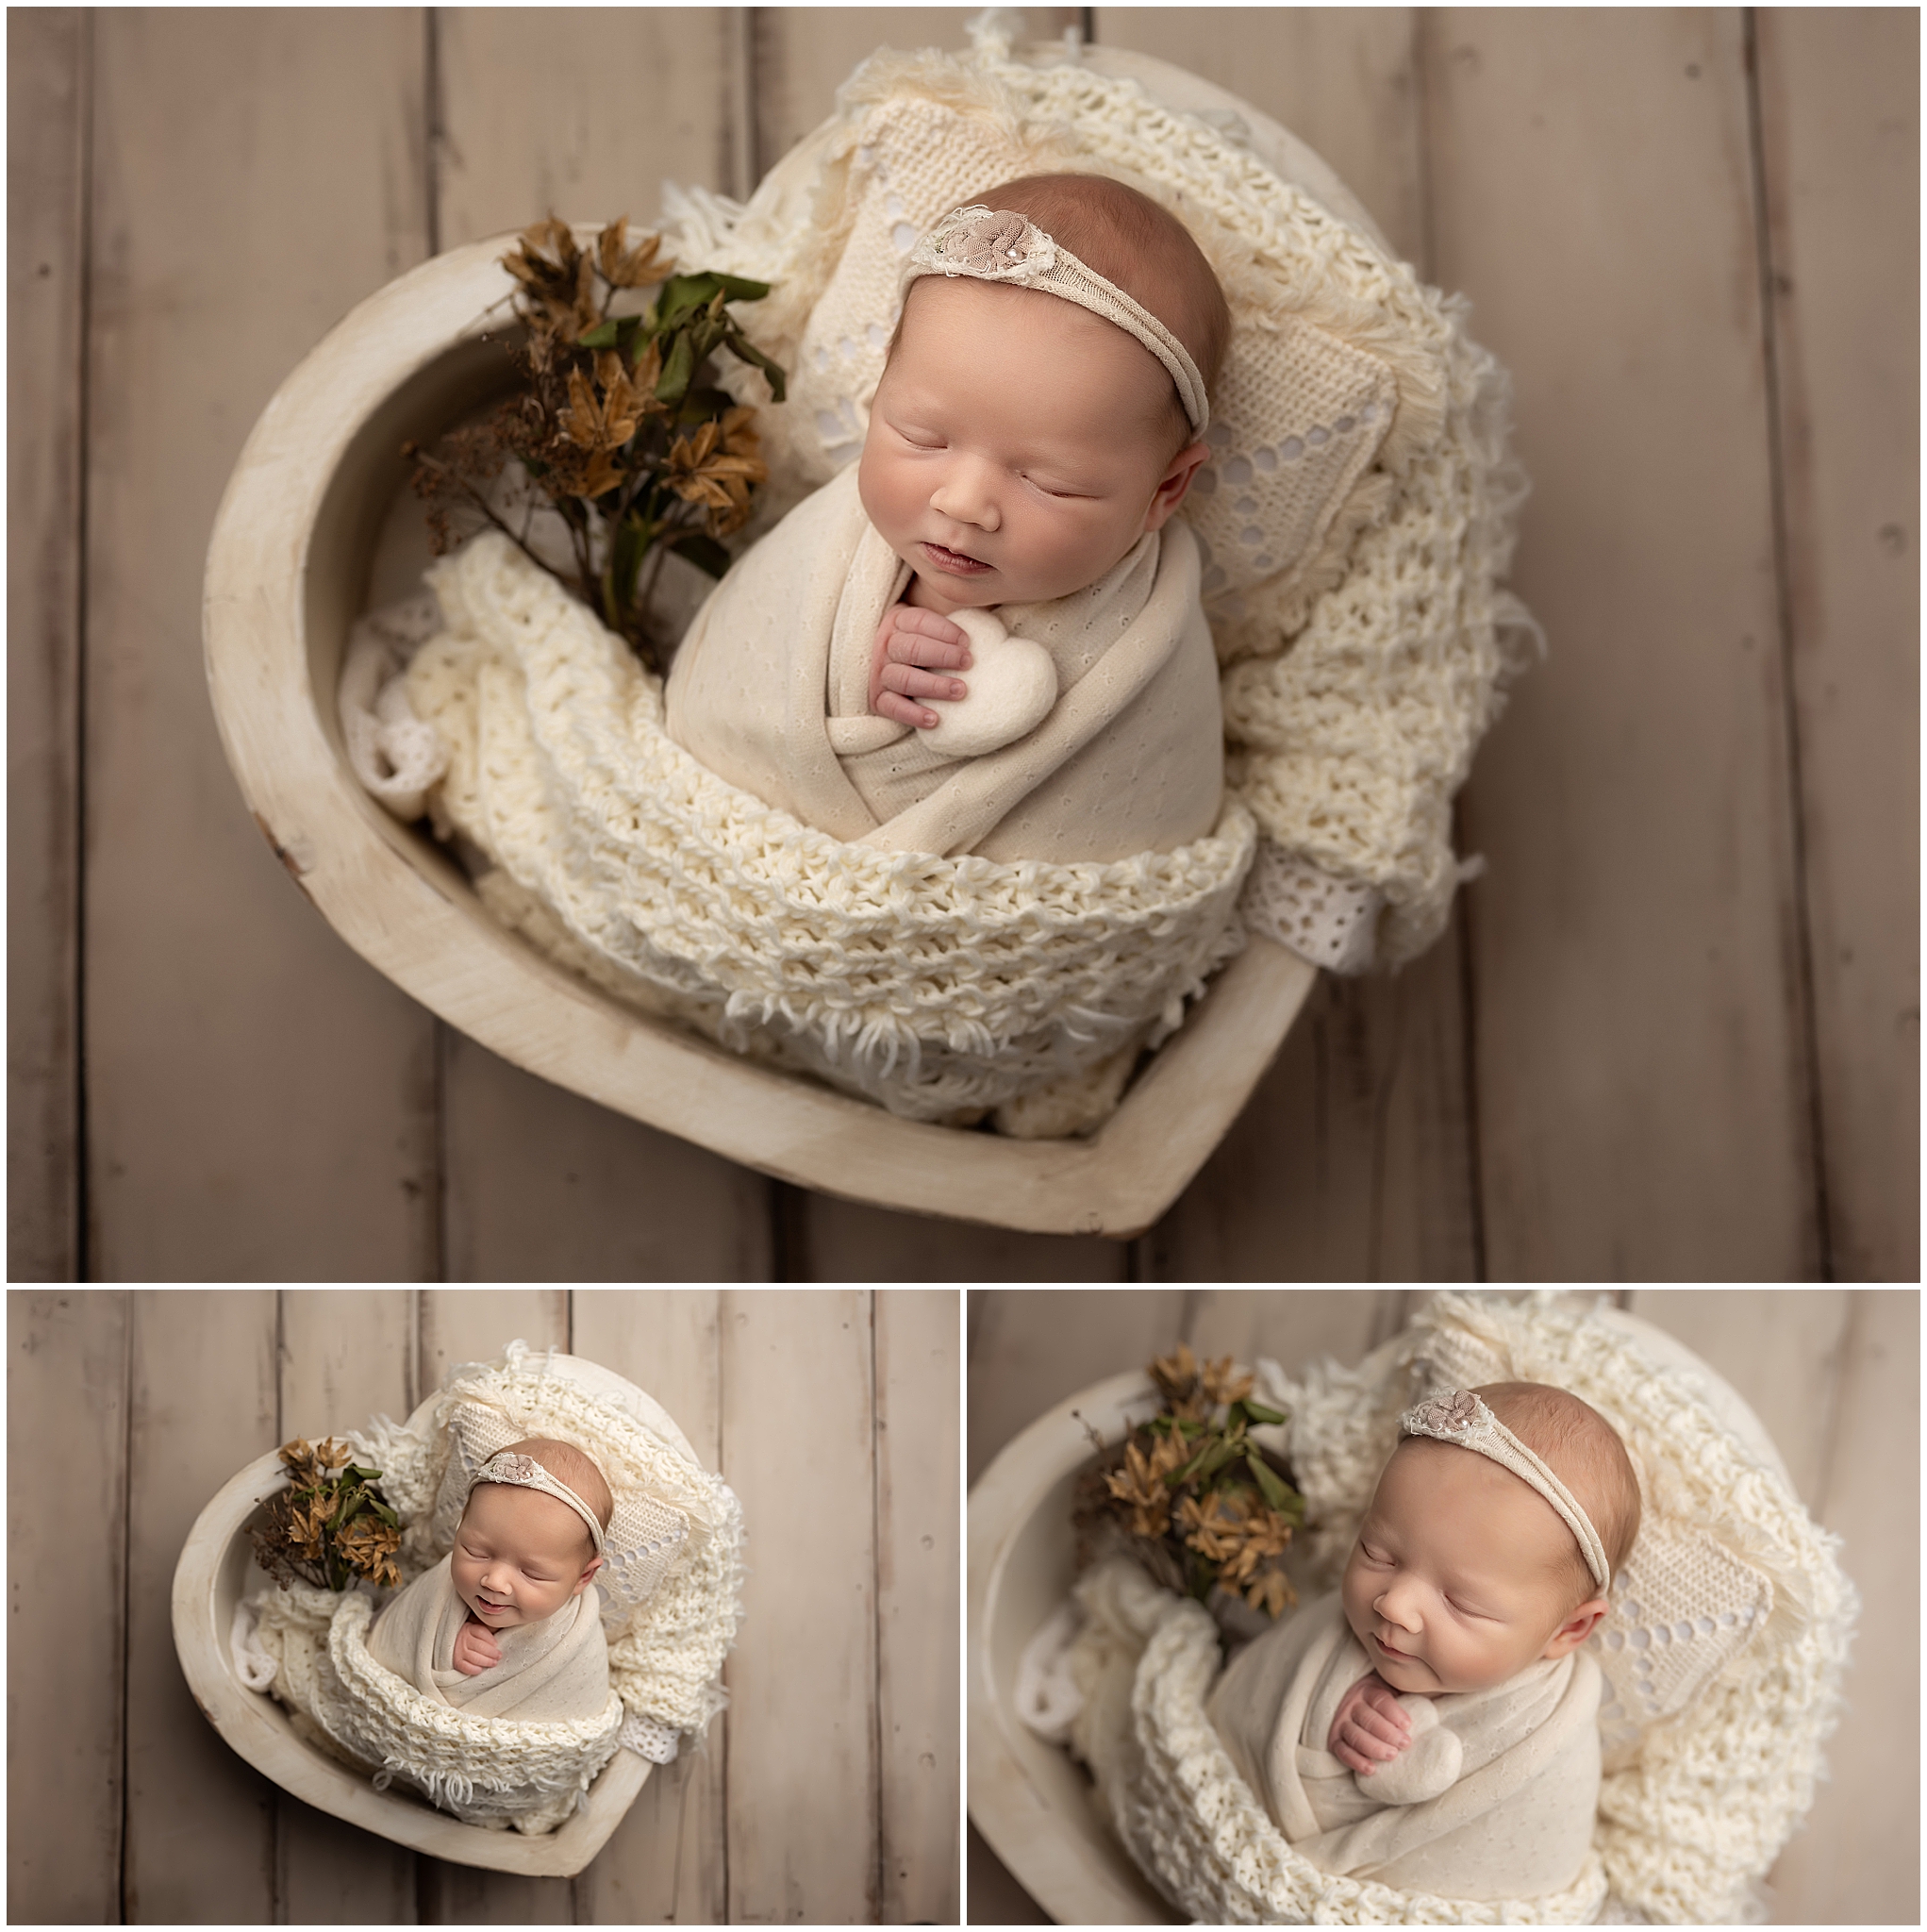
[549, 1672]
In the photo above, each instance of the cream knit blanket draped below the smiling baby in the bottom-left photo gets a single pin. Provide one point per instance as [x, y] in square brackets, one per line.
[488, 1771]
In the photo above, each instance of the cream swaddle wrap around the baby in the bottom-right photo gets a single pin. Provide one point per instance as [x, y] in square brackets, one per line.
[1494, 1800]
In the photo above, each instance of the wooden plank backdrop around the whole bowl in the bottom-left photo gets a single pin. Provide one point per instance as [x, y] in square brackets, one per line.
[827, 1792]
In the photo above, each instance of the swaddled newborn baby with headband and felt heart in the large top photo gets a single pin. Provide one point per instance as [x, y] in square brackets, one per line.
[988, 637]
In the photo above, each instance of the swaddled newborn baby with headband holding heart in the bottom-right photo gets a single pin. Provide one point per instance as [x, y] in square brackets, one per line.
[1432, 1726]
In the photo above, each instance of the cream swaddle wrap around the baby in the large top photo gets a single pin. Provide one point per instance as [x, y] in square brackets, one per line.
[771, 693]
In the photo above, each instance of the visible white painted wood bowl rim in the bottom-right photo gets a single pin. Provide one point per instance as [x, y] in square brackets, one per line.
[1034, 1805]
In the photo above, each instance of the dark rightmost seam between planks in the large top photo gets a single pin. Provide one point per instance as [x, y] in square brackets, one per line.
[1783, 600]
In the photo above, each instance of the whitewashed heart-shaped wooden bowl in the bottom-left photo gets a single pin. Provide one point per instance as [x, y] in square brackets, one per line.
[217, 1570]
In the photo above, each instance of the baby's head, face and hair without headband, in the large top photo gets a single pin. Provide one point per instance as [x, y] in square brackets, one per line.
[1020, 443]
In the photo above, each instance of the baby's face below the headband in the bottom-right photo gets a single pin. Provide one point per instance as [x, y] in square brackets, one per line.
[1455, 1581]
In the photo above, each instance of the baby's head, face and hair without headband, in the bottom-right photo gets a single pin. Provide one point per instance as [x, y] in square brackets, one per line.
[1465, 1574]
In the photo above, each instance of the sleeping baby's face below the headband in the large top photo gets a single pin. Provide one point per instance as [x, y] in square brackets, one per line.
[1019, 445]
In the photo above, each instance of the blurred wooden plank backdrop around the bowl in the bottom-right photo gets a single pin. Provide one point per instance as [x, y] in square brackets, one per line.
[1831, 1373]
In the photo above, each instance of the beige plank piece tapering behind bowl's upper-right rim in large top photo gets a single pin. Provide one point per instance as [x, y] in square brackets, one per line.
[1343, 80]
